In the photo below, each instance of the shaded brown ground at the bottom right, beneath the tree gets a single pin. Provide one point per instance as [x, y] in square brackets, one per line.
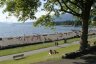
[86, 59]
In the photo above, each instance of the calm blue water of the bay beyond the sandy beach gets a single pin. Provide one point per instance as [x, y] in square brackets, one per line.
[13, 30]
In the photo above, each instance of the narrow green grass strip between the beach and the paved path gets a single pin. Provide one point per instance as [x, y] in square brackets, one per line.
[32, 47]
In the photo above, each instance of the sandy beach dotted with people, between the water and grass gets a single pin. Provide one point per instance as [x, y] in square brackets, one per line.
[34, 39]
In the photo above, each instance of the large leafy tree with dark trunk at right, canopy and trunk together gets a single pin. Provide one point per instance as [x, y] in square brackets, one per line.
[25, 9]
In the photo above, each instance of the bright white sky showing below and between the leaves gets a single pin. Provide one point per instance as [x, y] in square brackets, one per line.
[12, 19]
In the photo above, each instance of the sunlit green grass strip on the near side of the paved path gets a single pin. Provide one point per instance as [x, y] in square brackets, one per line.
[43, 56]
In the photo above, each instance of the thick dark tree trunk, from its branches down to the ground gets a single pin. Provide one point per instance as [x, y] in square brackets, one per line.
[84, 35]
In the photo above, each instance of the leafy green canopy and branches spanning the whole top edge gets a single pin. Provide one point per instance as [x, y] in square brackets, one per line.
[25, 9]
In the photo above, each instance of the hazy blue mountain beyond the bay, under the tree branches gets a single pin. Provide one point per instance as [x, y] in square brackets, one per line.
[64, 17]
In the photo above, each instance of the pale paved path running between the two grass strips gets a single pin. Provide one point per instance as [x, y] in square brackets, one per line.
[10, 57]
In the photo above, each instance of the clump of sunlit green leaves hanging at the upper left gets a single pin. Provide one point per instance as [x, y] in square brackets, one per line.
[23, 9]
